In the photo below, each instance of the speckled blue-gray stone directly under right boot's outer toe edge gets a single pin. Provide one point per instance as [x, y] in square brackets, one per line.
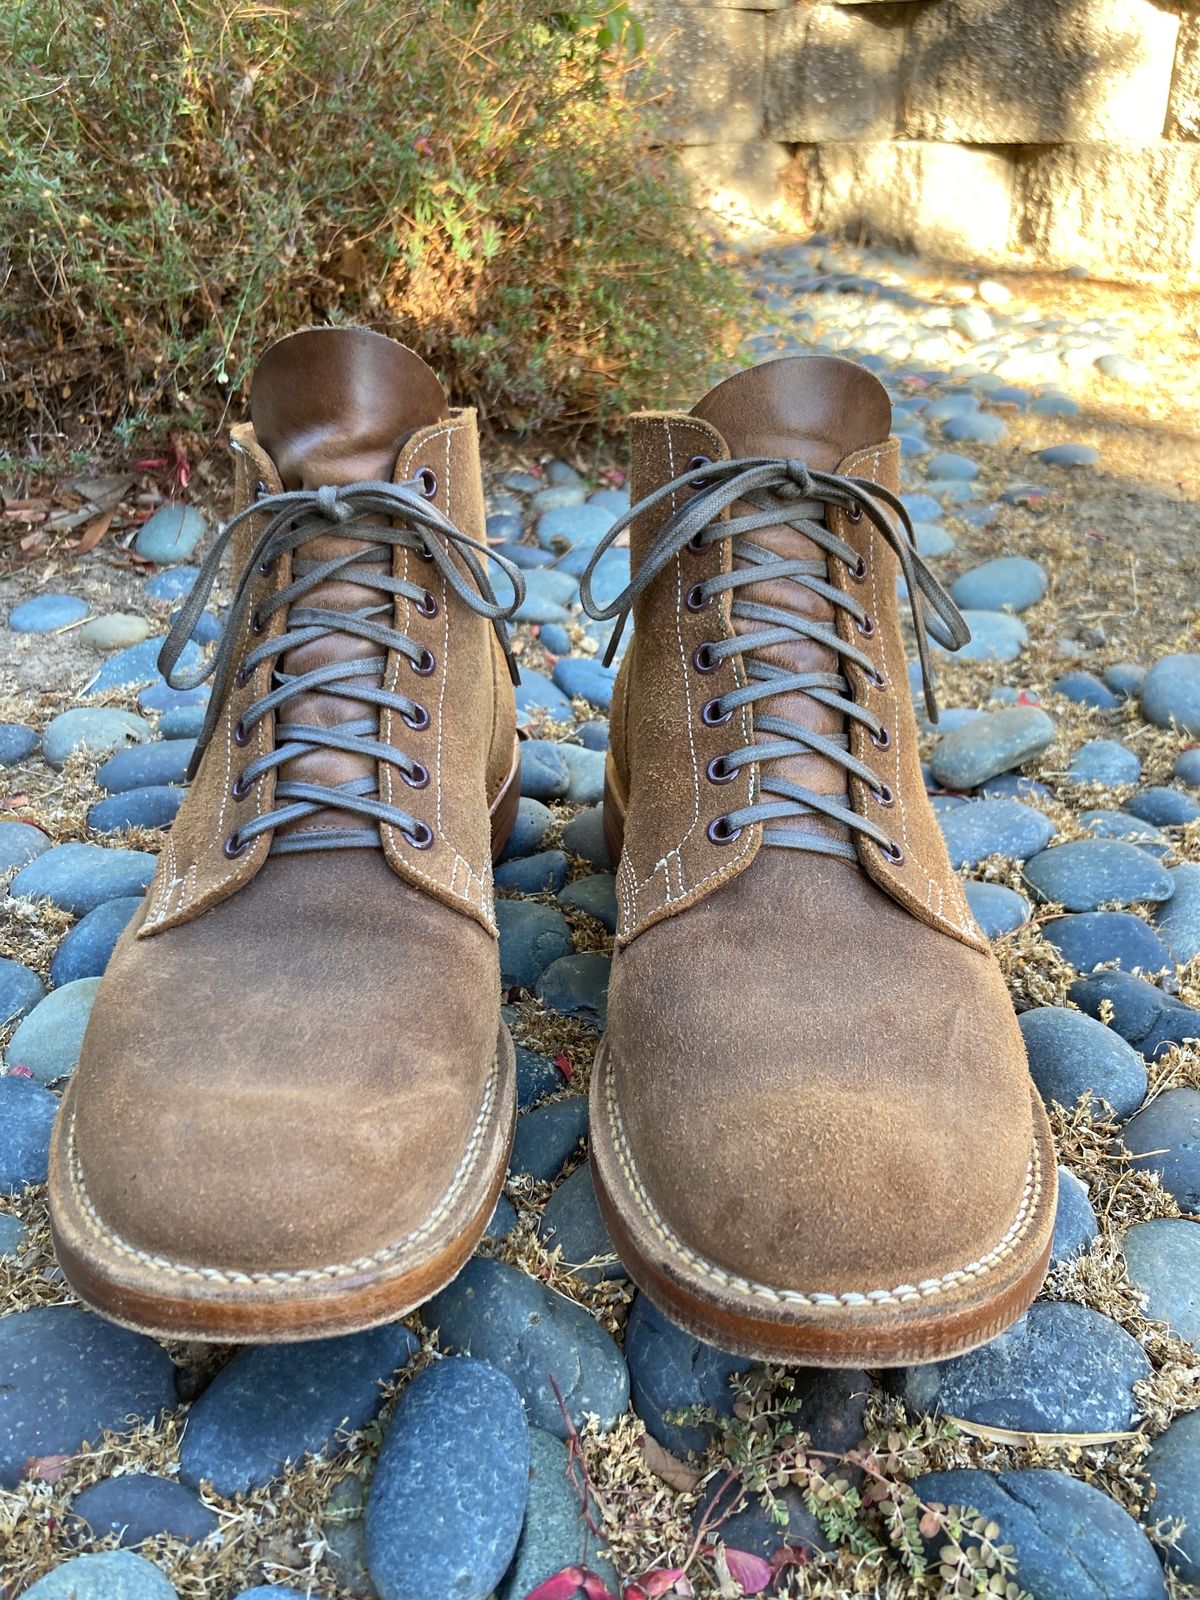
[1060, 1369]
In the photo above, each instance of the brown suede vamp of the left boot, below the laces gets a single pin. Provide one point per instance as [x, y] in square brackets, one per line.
[290, 1079]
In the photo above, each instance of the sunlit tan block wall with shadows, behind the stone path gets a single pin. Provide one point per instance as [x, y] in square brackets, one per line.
[1039, 132]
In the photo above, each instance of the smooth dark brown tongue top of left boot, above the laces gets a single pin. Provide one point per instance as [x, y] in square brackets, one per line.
[334, 406]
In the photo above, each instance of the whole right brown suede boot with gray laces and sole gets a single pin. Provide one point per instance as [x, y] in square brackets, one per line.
[814, 1130]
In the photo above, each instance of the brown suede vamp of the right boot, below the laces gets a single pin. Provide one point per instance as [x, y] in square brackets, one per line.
[836, 1098]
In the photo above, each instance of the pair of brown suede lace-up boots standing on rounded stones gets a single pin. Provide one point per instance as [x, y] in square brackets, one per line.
[812, 1129]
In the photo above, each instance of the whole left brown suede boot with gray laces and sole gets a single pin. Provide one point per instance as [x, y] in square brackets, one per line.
[295, 1102]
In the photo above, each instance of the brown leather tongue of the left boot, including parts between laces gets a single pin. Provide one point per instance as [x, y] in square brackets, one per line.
[334, 407]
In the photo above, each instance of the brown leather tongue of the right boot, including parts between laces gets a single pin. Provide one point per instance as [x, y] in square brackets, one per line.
[818, 410]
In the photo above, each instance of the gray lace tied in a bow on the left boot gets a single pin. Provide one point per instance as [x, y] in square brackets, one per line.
[294, 519]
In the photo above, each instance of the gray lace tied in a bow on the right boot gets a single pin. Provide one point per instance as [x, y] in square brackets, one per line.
[786, 492]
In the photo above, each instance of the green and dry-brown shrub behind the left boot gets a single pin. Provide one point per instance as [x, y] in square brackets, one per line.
[191, 178]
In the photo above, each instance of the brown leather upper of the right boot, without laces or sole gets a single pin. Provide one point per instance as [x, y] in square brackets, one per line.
[815, 1062]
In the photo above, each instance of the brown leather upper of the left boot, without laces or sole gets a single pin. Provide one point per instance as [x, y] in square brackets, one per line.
[289, 1054]
